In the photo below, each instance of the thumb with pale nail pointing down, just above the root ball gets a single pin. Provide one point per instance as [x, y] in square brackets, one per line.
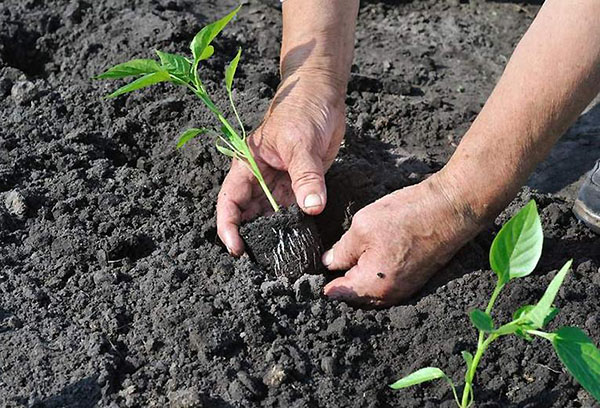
[308, 181]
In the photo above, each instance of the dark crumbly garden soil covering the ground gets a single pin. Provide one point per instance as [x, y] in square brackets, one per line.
[115, 290]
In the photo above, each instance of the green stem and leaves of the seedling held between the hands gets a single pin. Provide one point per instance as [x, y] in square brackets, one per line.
[182, 71]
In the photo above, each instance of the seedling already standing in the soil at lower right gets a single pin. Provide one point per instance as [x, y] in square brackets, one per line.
[514, 254]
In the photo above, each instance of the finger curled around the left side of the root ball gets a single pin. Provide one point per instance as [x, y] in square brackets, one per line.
[236, 189]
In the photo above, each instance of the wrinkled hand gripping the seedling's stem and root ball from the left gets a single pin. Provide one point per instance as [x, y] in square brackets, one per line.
[293, 147]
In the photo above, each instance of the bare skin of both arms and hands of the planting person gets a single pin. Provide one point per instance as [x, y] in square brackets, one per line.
[397, 243]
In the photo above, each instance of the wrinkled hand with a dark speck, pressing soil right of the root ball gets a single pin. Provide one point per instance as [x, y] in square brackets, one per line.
[397, 243]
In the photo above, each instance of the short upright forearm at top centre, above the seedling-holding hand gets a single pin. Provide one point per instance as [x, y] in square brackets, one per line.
[318, 37]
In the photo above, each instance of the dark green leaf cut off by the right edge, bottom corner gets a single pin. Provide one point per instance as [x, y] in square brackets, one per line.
[581, 357]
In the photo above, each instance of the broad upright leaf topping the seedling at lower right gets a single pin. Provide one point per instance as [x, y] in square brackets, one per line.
[518, 246]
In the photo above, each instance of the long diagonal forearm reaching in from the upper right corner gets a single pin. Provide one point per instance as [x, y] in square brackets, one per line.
[552, 76]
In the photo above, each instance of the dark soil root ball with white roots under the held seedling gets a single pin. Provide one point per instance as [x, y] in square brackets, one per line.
[286, 243]
